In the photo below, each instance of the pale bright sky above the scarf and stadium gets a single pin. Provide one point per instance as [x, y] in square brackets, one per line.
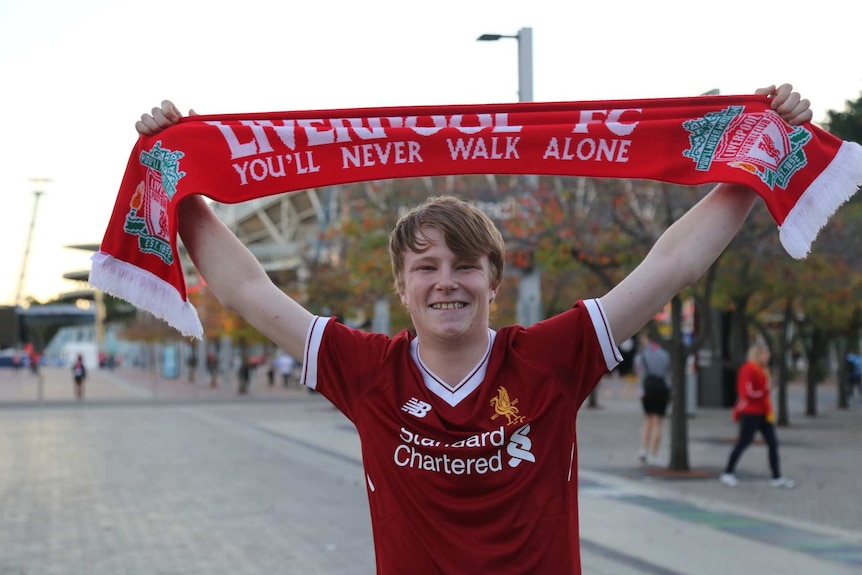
[75, 76]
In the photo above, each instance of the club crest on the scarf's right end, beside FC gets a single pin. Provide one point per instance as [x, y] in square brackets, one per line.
[760, 143]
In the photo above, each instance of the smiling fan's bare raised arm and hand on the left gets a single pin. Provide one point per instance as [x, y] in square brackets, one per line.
[229, 268]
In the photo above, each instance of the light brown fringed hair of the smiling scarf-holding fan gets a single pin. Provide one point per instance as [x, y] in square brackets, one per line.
[468, 232]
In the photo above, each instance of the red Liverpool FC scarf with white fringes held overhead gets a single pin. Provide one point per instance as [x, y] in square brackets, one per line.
[803, 173]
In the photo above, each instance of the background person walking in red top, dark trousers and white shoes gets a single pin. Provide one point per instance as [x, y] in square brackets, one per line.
[754, 411]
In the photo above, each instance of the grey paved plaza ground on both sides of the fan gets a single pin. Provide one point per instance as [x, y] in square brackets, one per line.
[155, 476]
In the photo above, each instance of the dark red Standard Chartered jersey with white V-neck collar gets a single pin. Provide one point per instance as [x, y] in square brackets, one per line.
[480, 477]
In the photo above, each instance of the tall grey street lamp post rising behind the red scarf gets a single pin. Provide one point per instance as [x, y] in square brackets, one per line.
[529, 307]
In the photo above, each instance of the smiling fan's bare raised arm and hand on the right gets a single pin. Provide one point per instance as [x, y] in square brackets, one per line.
[688, 247]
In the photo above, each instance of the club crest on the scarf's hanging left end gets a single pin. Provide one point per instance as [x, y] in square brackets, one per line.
[148, 208]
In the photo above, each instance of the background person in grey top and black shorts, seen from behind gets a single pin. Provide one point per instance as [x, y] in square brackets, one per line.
[652, 365]
